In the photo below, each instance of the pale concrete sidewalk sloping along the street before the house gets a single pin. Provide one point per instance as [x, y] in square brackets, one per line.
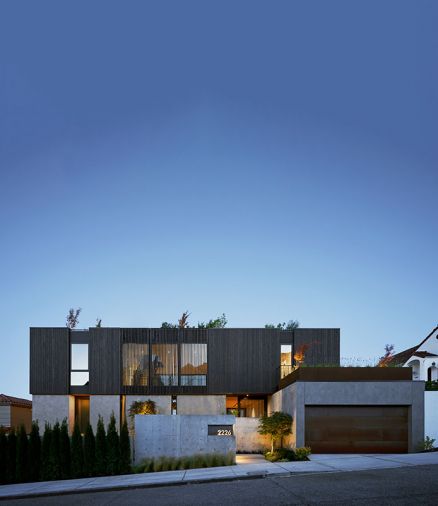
[247, 467]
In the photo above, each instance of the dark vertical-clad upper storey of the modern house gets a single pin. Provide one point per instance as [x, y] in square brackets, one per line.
[234, 361]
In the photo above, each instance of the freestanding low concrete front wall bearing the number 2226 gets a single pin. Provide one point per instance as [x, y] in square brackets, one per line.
[180, 435]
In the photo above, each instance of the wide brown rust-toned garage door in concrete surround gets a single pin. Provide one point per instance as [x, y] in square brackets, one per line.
[357, 429]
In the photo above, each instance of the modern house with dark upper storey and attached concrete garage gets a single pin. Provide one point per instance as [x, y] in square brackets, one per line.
[81, 374]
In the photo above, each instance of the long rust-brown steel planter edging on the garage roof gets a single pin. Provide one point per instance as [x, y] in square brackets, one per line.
[347, 374]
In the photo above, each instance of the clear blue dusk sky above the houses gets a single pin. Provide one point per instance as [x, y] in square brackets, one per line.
[270, 160]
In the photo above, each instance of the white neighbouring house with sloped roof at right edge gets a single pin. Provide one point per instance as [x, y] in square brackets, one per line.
[423, 358]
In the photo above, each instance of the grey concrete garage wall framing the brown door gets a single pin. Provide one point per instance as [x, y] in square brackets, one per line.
[296, 396]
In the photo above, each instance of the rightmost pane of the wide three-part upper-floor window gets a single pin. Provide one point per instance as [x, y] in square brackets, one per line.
[193, 364]
